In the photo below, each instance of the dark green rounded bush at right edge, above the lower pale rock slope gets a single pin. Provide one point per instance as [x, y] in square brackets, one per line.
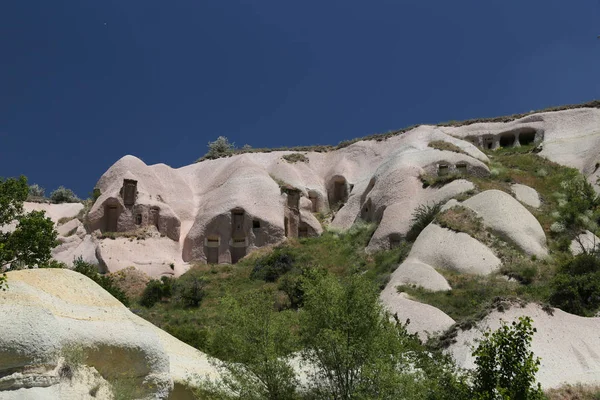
[576, 285]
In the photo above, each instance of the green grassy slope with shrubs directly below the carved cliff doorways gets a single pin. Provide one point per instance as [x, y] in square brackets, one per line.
[341, 254]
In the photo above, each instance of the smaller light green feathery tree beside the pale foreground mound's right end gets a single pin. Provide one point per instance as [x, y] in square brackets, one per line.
[256, 342]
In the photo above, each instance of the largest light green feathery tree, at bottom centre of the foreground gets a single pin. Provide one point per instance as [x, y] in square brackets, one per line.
[356, 350]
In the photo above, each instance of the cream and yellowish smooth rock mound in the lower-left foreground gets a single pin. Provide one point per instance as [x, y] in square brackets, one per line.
[46, 312]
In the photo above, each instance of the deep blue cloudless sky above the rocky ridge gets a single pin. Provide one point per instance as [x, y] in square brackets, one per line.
[84, 82]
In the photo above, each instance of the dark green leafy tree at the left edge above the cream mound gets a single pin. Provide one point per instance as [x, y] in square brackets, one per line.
[33, 238]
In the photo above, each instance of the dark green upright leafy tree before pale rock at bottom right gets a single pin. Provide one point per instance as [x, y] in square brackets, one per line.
[506, 366]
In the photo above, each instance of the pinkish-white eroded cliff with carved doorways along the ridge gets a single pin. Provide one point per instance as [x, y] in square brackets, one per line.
[217, 211]
